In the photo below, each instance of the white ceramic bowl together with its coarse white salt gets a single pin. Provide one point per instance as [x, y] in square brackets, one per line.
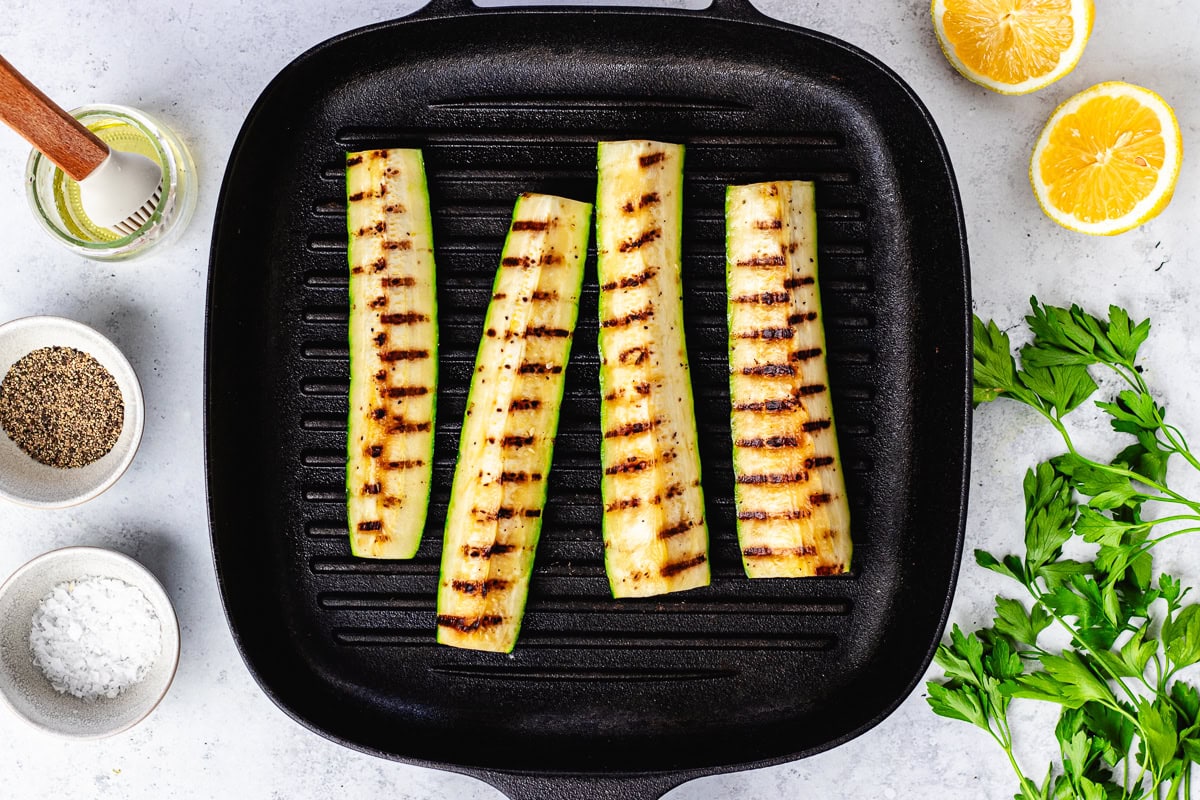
[89, 642]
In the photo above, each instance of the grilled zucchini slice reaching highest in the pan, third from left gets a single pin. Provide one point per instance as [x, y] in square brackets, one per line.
[655, 531]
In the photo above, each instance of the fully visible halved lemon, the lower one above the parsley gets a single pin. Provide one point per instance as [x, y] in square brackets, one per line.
[1108, 159]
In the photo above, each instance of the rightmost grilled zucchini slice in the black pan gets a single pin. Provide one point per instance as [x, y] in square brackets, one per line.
[790, 494]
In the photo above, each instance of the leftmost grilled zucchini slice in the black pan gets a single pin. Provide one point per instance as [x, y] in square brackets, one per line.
[394, 342]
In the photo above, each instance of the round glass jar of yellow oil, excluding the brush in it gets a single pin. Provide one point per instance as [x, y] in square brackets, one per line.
[55, 197]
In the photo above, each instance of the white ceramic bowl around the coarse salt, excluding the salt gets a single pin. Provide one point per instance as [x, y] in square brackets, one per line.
[26, 690]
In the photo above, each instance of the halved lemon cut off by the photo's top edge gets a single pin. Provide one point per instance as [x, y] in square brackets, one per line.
[1013, 47]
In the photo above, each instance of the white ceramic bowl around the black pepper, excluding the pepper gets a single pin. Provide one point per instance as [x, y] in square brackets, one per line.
[29, 483]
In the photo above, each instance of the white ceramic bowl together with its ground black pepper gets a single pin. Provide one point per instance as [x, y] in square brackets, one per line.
[71, 412]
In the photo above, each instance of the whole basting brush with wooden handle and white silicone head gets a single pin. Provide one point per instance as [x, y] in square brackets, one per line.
[118, 190]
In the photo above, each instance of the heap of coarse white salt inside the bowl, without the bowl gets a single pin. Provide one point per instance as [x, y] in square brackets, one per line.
[95, 637]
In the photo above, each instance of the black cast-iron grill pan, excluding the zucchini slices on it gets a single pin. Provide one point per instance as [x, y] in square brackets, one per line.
[602, 699]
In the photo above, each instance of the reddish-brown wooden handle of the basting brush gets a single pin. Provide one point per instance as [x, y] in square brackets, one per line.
[45, 125]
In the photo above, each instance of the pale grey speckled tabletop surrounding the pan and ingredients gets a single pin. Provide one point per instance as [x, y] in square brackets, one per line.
[201, 65]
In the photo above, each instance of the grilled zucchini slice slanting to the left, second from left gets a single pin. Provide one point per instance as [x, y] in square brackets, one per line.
[508, 435]
